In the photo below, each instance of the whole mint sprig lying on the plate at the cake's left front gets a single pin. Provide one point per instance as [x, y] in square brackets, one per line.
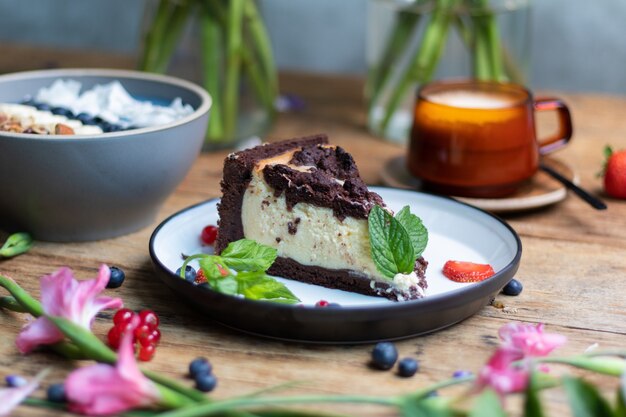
[250, 260]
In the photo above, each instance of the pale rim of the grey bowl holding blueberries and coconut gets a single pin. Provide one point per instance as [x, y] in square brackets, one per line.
[203, 108]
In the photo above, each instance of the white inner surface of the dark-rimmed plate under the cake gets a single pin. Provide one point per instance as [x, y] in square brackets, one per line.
[456, 231]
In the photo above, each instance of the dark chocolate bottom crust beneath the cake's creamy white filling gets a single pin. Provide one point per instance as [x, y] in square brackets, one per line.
[345, 279]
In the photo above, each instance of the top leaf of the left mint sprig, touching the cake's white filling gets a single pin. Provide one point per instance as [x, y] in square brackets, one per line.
[248, 255]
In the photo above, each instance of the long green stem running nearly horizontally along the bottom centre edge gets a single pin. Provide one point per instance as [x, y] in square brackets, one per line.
[202, 410]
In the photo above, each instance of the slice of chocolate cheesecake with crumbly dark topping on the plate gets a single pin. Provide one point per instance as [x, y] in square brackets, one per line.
[306, 199]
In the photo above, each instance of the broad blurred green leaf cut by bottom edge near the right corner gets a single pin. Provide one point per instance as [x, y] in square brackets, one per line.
[584, 399]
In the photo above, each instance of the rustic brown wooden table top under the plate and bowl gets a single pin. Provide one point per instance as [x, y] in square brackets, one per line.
[573, 269]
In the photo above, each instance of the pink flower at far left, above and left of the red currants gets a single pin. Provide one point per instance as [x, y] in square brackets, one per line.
[64, 296]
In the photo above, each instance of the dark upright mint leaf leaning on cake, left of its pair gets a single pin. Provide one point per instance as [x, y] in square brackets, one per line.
[391, 247]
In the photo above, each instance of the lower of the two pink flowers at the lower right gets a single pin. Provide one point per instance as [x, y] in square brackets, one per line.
[501, 375]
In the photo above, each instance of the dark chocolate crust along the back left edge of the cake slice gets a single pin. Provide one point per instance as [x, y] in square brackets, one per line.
[237, 175]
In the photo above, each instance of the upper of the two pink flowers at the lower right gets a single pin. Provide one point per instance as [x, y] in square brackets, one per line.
[530, 339]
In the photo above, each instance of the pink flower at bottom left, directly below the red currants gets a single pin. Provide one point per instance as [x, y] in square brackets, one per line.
[103, 389]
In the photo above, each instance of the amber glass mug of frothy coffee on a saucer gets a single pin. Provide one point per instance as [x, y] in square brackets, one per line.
[478, 139]
